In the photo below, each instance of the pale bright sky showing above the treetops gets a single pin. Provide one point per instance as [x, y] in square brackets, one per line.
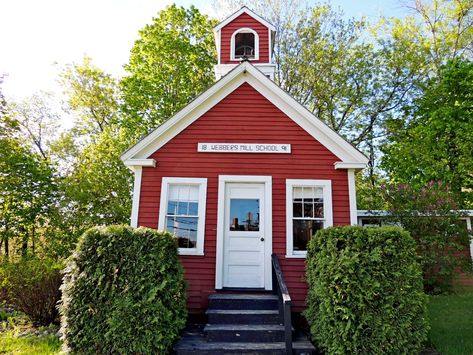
[39, 37]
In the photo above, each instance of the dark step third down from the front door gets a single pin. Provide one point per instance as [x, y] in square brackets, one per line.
[249, 333]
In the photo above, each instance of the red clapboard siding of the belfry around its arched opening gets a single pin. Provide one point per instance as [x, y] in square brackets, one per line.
[244, 20]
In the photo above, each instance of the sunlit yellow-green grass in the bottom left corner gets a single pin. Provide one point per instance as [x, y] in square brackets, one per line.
[30, 344]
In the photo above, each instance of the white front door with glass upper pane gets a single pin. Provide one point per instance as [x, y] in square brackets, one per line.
[244, 235]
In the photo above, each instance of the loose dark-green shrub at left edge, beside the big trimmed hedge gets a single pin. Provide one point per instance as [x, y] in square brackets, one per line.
[31, 285]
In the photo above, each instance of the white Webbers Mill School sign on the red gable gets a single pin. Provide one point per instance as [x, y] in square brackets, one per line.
[243, 148]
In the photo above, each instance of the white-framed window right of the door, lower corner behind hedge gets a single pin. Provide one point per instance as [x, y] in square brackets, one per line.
[309, 208]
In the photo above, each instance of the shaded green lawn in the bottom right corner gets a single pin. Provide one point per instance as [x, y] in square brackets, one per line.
[451, 319]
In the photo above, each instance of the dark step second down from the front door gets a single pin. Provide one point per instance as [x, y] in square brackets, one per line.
[244, 316]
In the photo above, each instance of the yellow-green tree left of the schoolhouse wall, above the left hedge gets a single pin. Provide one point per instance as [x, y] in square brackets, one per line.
[98, 190]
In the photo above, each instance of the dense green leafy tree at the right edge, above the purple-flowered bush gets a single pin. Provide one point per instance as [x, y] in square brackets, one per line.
[434, 140]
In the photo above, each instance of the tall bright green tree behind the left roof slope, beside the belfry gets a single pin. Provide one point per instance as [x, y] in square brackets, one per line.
[170, 64]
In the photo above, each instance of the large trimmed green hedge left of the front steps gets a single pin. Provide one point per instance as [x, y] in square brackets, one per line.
[123, 292]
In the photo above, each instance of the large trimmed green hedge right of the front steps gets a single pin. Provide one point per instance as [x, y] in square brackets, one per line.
[365, 291]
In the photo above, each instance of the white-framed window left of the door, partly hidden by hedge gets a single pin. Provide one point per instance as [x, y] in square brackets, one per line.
[182, 212]
